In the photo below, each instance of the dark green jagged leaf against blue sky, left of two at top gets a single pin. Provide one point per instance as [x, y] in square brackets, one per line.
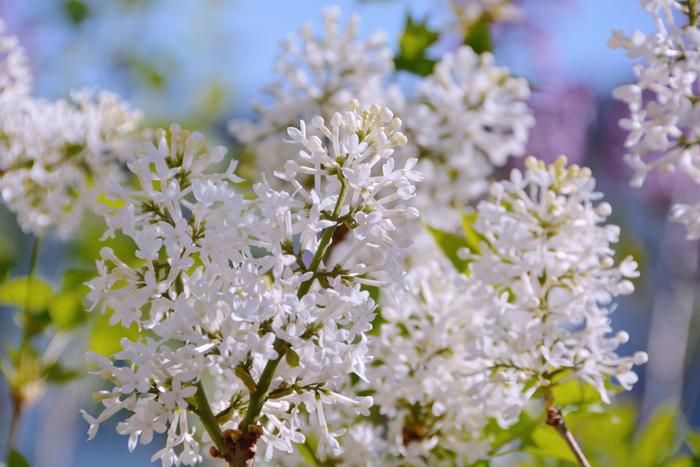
[415, 39]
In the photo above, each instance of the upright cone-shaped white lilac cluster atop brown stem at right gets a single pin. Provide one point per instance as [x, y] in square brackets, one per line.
[547, 256]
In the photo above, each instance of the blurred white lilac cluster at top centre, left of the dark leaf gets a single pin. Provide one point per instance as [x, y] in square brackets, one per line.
[317, 75]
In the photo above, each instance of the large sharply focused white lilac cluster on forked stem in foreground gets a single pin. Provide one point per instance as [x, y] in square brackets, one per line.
[244, 296]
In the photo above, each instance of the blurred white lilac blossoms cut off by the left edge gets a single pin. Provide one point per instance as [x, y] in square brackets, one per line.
[55, 156]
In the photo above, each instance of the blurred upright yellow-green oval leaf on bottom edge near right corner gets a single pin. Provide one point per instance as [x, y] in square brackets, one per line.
[657, 441]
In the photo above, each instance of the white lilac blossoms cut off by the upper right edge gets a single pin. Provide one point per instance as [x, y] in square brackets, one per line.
[663, 103]
